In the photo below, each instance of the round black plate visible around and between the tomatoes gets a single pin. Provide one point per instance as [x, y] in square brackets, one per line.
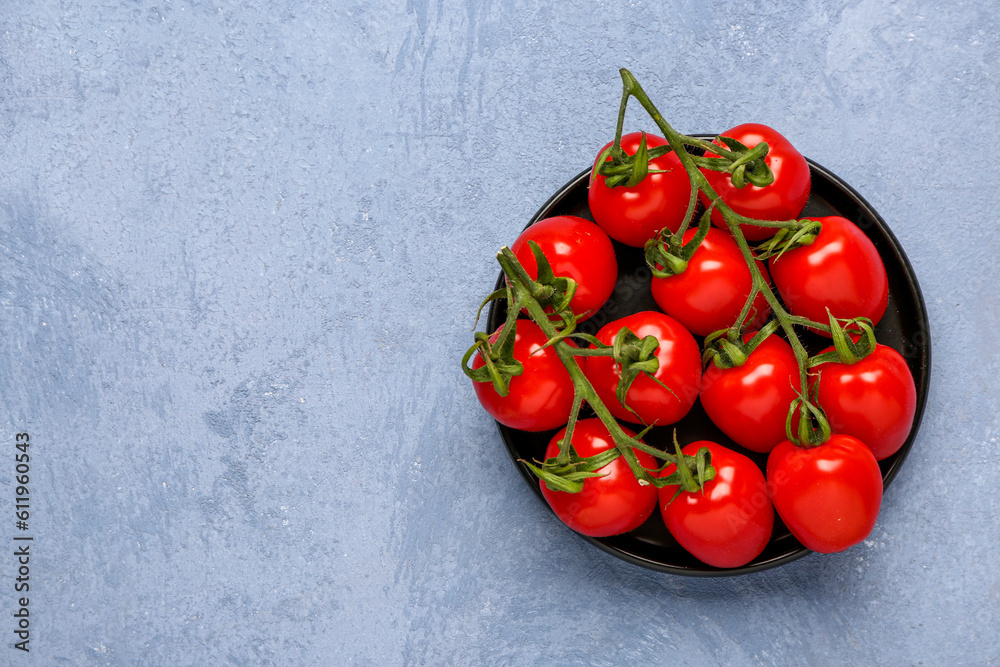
[904, 327]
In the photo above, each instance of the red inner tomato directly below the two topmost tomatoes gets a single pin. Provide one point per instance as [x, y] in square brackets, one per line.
[711, 291]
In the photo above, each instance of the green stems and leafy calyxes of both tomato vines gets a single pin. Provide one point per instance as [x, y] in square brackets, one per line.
[546, 300]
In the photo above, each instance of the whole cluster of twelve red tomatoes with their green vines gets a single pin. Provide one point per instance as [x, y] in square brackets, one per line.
[824, 420]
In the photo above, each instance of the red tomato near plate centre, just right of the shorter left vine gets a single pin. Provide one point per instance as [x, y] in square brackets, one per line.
[679, 369]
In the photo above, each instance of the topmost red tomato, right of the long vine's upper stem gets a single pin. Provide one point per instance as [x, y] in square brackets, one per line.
[783, 199]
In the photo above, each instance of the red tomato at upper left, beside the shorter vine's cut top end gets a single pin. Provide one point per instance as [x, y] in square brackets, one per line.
[575, 248]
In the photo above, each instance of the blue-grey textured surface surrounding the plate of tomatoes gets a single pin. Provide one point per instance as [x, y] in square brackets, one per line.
[242, 246]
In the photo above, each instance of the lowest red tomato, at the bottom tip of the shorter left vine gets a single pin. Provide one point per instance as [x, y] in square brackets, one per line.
[730, 522]
